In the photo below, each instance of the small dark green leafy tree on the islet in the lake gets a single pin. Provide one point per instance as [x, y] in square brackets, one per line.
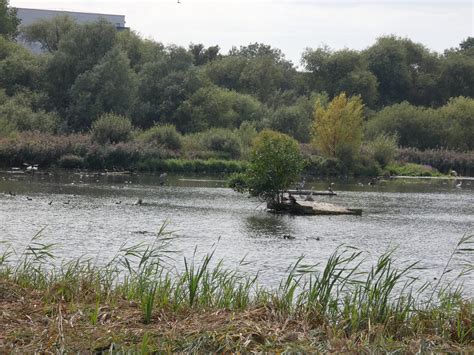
[275, 164]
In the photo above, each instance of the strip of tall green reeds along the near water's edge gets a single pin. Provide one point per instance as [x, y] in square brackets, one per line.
[342, 294]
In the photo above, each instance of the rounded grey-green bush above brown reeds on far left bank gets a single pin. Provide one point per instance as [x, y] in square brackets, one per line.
[111, 128]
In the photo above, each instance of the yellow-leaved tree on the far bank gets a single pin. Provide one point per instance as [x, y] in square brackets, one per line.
[337, 128]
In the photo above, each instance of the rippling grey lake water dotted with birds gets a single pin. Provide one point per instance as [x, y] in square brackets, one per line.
[93, 216]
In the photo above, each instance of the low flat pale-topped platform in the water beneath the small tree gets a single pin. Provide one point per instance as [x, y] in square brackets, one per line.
[312, 208]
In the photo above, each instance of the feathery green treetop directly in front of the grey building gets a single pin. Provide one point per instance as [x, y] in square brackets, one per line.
[49, 32]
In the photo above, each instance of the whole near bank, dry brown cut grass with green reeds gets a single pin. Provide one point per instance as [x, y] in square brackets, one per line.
[138, 303]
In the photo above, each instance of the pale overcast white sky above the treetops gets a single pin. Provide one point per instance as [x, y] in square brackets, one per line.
[291, 25]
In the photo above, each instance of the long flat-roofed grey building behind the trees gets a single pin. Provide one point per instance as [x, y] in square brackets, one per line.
[29, 16]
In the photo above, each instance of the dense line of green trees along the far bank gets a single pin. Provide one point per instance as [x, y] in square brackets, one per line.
[423, 98]
